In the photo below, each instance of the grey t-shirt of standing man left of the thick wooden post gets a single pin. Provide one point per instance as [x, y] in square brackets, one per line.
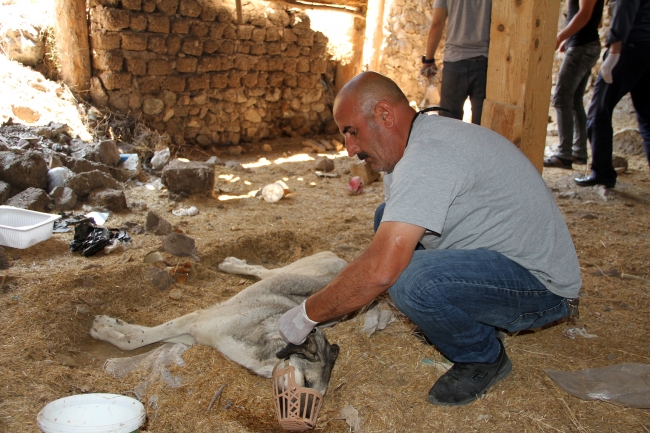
[468, 28]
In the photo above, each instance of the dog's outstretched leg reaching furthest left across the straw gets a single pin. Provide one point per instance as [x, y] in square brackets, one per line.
[128, 337]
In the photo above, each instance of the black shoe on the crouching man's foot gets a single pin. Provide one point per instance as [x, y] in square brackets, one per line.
[464, 383]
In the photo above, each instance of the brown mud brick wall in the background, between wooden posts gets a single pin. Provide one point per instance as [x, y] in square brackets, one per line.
[189, 69]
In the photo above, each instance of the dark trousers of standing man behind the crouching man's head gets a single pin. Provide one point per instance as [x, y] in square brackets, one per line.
[462, 79]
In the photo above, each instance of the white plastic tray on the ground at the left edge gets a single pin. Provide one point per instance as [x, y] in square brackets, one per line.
[21, 228]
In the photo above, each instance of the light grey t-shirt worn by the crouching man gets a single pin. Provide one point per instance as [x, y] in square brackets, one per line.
[471, 188]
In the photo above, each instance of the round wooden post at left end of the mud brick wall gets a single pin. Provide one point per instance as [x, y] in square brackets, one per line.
[72, 45]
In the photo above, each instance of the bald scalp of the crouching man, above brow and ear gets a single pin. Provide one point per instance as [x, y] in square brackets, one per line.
[367, 89]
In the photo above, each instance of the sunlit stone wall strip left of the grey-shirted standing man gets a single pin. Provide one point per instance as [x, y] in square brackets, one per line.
[406, 25]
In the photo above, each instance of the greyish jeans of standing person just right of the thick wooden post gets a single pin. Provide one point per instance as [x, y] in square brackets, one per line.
[568, 100]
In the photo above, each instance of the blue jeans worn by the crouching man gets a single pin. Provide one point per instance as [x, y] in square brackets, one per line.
[459, 298]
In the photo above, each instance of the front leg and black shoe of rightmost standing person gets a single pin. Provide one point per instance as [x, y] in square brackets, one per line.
[631, 67]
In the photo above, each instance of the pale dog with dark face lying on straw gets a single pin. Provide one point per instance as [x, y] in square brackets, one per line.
[245, 327]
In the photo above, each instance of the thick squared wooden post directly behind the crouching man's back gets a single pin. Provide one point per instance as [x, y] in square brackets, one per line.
[520, 63]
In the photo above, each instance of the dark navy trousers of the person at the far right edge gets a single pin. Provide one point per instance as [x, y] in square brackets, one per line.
[631, 74]
